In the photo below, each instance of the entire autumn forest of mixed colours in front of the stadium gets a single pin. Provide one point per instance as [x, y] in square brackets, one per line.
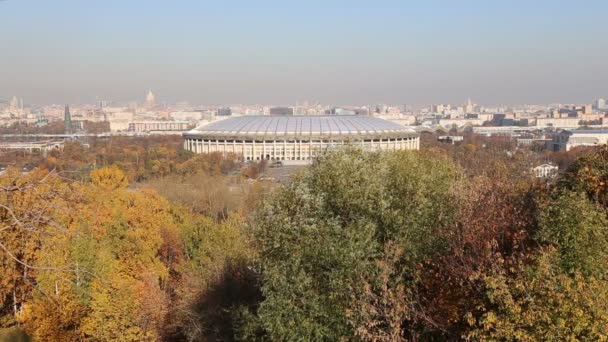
[135, 239]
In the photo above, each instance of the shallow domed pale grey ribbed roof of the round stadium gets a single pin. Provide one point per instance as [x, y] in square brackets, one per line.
[300, 126]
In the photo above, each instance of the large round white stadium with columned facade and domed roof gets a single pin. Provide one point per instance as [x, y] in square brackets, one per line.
[297, 138]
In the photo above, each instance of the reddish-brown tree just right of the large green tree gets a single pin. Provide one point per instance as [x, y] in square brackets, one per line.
[492, 229]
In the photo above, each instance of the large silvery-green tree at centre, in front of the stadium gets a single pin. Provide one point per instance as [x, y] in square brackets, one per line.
[321, 238]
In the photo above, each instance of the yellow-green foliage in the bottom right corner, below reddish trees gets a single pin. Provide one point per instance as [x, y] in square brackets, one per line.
[539, 302]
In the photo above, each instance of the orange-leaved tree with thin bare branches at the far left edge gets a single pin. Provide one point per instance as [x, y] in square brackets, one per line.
[25, 222]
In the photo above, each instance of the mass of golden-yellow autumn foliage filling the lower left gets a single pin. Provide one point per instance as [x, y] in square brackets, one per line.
[99, 261]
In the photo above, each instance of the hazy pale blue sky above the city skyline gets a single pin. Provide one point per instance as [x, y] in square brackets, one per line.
[283, 51]
